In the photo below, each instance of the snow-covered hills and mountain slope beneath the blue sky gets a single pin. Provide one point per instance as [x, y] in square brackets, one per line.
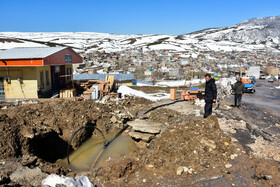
[251, 35]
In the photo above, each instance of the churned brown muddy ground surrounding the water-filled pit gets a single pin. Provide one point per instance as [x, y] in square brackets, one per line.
[222, 150]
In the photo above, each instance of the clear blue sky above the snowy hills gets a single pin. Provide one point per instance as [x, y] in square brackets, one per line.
[129, 16]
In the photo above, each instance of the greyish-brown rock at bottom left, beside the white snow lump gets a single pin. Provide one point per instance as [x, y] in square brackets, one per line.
[28, 177]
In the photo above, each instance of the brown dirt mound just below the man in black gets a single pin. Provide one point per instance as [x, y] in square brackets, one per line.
[198, 144]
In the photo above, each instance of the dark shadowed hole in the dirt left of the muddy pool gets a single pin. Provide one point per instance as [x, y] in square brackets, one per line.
[48, 147]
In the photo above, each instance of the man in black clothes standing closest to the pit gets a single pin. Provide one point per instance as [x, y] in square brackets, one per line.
[210, 95]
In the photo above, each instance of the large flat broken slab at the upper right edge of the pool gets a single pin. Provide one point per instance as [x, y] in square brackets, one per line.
[146, 126]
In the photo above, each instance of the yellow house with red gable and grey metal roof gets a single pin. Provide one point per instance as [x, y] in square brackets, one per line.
[24, 70]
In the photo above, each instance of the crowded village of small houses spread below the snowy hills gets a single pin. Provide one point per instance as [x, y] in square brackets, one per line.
[169, 64]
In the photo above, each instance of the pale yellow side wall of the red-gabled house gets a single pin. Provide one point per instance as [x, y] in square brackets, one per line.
[23, 82]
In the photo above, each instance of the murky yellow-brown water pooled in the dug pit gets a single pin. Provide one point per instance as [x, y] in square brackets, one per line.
[92, 152]
